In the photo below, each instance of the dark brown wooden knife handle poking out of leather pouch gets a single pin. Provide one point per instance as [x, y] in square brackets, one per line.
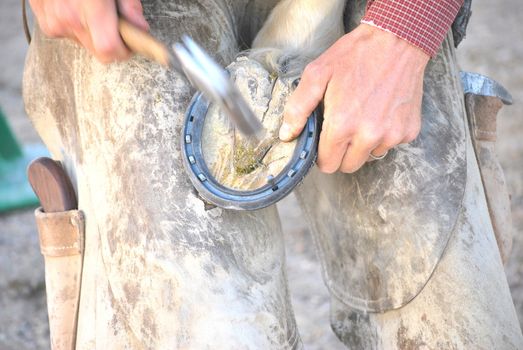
[51, 185]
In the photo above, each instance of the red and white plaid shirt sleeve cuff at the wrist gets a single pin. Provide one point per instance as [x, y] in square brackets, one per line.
[423, 23]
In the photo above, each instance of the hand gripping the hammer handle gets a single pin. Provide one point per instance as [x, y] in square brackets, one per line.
[93, 23]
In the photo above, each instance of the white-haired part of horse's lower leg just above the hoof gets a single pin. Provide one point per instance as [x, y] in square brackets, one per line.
[296, 32]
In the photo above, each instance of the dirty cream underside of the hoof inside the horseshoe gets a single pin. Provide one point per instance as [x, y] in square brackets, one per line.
[233, 160]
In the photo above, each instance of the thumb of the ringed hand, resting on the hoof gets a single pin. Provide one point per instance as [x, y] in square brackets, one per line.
[304, 100]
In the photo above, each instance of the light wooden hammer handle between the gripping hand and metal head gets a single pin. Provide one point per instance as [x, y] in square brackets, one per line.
[143, 43]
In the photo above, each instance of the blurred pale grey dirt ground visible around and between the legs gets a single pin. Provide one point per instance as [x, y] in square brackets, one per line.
[493, 47]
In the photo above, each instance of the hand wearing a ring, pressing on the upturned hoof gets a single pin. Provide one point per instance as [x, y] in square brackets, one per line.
[372, 84]
